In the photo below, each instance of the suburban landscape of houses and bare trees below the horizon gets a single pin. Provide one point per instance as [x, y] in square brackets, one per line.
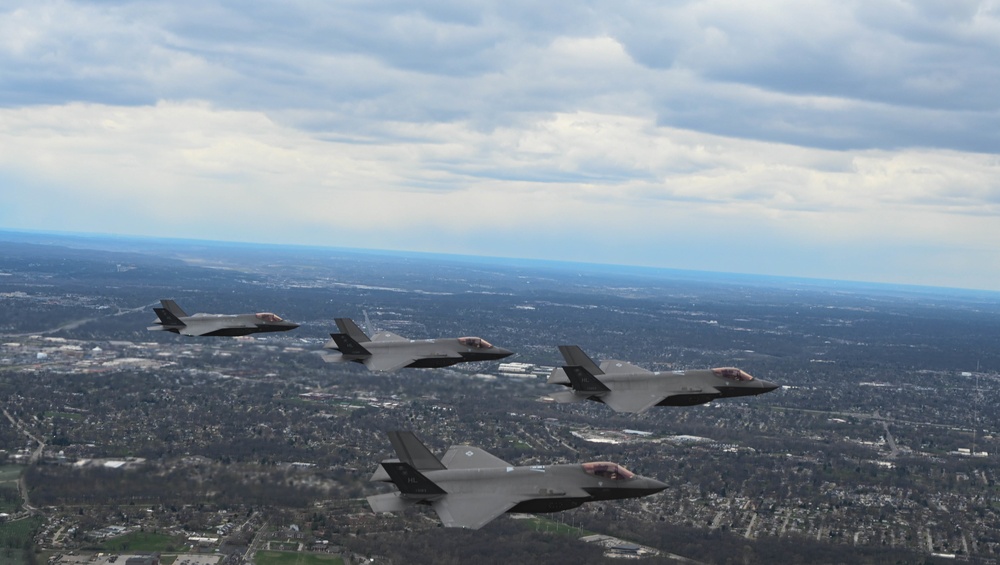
[121, 443]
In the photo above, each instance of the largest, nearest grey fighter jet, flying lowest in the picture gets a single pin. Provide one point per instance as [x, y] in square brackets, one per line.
[468, 487]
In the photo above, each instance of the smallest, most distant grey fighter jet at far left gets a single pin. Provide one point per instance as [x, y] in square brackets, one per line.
[173, 319]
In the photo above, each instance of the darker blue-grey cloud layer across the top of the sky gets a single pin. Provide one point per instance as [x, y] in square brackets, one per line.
[827, 74]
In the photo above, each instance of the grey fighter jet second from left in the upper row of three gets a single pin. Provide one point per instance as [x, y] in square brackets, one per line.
[386, 351]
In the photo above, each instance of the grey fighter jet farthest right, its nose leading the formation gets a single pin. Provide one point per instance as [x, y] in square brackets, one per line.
[627, 388]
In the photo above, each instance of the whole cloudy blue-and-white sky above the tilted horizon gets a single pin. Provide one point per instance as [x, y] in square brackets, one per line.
[840, 139]
